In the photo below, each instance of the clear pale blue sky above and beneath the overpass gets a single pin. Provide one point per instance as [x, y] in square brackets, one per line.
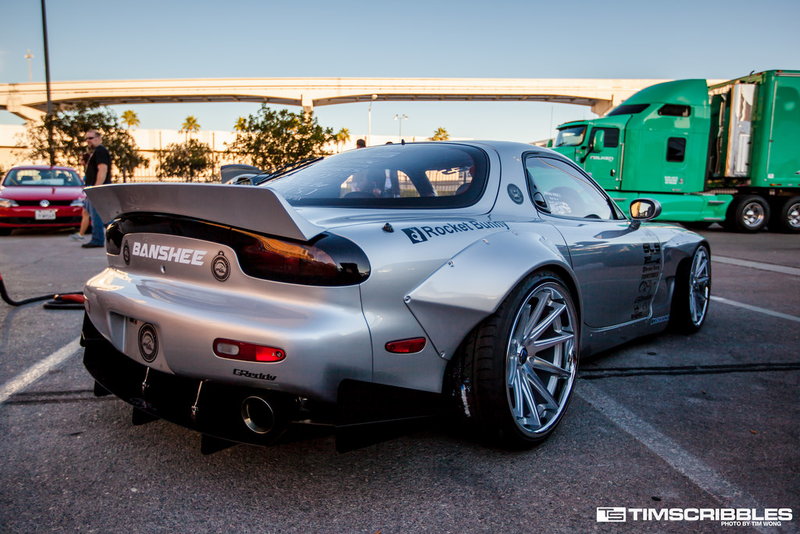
[147, 39]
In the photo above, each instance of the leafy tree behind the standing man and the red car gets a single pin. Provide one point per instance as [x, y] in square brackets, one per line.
[69, 127]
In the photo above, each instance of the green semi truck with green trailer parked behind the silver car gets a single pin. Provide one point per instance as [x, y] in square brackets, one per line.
[727, 153]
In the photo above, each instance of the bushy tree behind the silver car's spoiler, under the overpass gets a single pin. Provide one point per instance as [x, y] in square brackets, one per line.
[269, 138]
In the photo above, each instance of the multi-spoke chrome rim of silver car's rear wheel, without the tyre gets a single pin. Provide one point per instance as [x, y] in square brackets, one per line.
[541, 359]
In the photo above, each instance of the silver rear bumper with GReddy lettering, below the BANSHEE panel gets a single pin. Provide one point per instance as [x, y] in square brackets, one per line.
[321, 330]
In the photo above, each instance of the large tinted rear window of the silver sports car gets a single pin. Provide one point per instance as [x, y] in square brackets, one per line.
[393, 176]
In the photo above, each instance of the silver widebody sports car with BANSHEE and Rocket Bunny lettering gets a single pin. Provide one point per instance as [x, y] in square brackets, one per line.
[379, 286]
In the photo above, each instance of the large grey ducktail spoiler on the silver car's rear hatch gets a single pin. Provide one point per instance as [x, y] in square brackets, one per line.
[252, 208]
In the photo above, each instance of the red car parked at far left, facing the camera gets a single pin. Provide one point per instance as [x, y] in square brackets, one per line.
[40, 196]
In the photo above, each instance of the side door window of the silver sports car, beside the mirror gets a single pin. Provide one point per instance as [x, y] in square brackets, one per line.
[559, 189]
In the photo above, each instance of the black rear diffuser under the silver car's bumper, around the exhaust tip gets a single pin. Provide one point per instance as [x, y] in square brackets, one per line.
[365, 413]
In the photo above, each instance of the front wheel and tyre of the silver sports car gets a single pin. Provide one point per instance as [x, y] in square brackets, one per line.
[692, 293]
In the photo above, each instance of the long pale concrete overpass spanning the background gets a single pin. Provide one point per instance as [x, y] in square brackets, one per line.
[29, 100]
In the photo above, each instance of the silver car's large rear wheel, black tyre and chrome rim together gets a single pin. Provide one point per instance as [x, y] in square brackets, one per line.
[519, 365]
